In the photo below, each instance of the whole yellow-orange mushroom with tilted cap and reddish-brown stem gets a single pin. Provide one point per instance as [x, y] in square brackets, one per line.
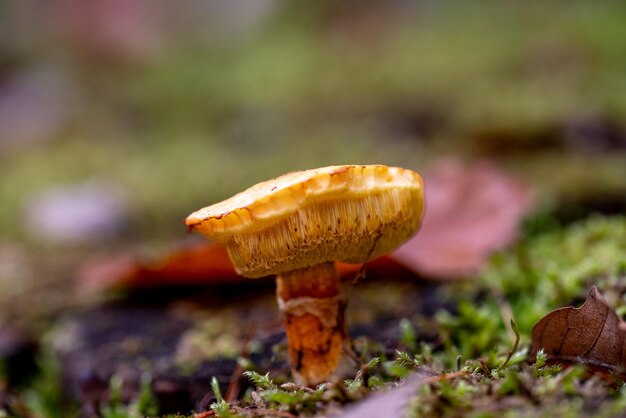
[295, 227]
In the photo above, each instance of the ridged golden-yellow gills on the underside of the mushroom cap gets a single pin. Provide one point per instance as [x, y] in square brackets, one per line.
[350, 229]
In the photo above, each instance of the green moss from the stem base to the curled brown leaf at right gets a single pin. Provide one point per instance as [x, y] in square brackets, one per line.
[490, 375]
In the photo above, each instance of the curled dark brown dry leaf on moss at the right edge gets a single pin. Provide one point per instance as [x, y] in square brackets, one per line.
[592, 334]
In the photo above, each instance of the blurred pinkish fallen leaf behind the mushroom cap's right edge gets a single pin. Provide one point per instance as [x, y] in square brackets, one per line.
[471, 211]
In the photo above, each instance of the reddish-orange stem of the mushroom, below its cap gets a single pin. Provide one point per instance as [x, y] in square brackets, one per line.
[313, 304]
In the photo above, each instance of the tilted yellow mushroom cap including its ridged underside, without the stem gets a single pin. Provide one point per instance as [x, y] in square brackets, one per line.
[350, 213]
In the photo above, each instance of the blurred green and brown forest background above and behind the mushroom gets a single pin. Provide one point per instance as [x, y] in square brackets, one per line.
[120, 117]
